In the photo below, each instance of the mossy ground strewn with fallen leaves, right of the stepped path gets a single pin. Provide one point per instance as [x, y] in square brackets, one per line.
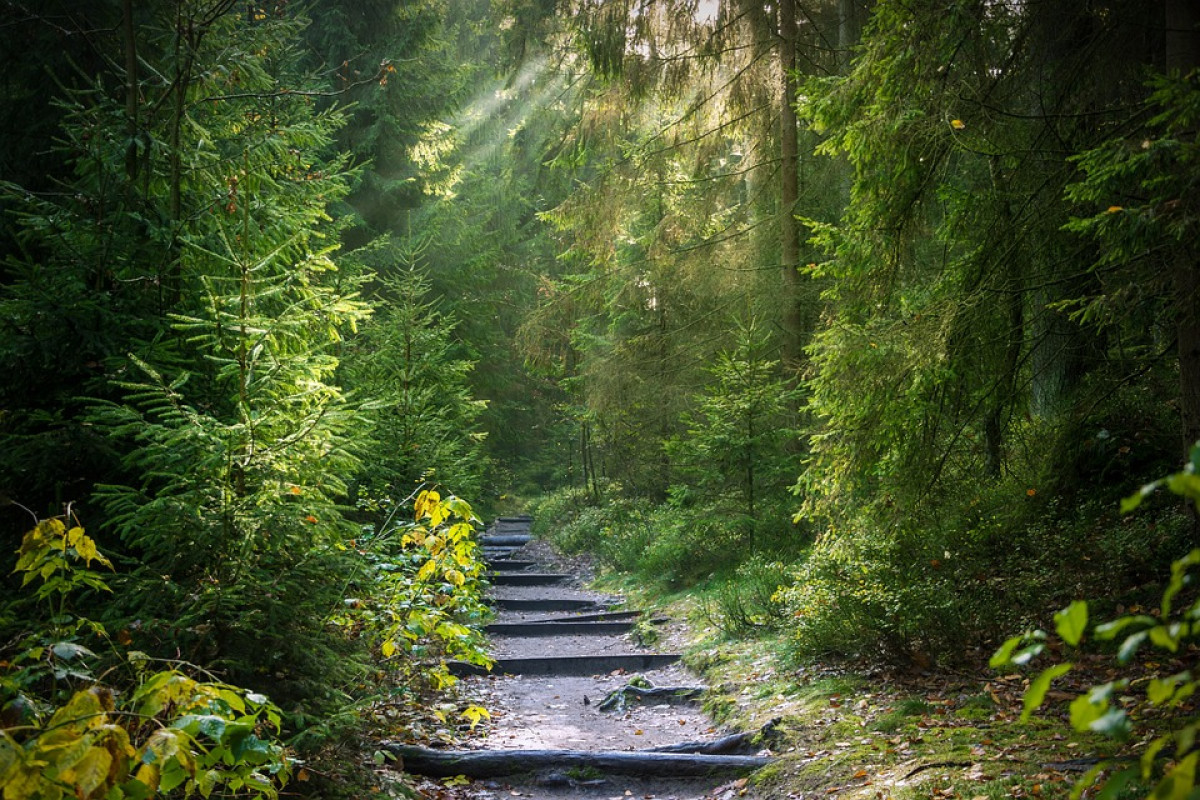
[868, 732]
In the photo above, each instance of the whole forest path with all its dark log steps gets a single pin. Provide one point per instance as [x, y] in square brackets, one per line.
[561, 649]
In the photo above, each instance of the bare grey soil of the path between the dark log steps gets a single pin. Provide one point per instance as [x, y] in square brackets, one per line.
[561, 713]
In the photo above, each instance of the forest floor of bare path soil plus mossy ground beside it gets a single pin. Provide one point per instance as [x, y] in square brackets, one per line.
[857, 732]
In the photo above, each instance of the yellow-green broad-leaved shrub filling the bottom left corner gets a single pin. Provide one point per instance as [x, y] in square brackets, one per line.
[64, 735]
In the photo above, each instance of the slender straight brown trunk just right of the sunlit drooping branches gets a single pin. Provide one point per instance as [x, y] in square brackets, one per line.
[790, 190]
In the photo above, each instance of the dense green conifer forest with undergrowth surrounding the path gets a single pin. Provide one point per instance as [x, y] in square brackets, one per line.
[883, 305]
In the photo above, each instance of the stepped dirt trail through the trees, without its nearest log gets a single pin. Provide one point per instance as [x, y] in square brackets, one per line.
[556, 712]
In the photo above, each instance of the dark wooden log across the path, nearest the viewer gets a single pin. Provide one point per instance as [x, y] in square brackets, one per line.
[500, 763]
